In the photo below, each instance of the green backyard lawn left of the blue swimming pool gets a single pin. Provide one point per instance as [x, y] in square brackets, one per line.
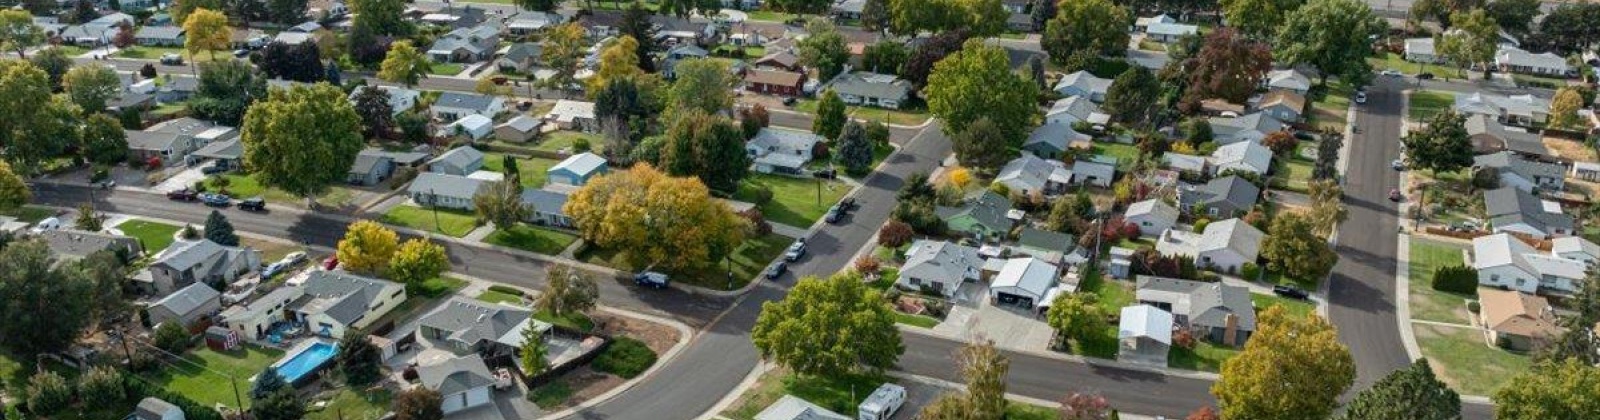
[198, 378]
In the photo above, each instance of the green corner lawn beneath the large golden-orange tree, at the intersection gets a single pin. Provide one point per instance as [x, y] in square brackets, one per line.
[750, 259]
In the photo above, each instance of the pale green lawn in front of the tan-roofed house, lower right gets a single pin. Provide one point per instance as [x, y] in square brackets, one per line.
[1466, 363]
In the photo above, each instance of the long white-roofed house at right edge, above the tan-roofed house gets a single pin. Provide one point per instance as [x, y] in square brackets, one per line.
[1508, 262]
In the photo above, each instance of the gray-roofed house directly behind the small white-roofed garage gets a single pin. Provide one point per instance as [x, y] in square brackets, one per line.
[1214, 312]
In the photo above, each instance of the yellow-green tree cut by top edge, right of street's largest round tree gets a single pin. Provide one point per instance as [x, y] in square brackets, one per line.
[1097, 26]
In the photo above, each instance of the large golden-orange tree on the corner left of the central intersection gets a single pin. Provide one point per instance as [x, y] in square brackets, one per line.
[655, 219]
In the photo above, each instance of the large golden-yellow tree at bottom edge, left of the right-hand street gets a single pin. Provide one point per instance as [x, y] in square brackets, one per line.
[1292, 368]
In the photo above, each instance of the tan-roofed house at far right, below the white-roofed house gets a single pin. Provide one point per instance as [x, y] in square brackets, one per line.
[1519, 321]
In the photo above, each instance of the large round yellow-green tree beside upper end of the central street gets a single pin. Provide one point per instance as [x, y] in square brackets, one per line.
[977, 84]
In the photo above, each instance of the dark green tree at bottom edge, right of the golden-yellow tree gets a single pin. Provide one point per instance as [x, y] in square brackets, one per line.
[1406, 394]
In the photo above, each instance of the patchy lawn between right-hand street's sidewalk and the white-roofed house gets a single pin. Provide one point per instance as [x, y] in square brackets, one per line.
[1428, 304]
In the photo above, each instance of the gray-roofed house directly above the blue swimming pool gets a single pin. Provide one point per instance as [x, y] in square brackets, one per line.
[335, 302]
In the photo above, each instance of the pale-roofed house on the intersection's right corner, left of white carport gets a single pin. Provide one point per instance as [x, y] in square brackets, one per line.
[940, 267]
